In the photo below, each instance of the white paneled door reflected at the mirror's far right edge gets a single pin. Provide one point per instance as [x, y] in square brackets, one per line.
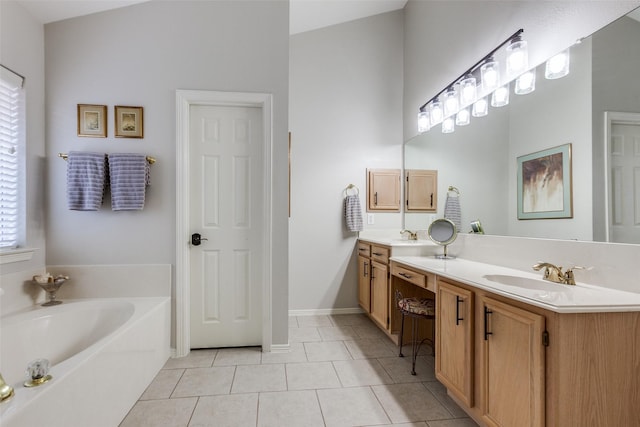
[624, 191]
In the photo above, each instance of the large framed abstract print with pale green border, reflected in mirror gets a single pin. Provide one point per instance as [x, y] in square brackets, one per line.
[545, 184]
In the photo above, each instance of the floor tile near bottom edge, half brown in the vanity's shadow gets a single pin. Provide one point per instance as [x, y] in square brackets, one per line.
[410, 402]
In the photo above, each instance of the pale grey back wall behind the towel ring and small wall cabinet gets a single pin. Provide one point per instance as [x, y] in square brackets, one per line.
[345, 116]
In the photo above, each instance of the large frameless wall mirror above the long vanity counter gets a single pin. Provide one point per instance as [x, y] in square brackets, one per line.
[596, 109]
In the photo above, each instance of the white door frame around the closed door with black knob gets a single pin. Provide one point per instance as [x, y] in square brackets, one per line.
[184, 100]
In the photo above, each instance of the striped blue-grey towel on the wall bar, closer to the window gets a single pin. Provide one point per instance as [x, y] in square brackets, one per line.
[86, 177]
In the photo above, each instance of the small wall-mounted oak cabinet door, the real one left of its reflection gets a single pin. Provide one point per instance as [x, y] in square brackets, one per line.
[383, 190]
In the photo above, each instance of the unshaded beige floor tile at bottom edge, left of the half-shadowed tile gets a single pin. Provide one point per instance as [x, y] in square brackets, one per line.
[356, 406]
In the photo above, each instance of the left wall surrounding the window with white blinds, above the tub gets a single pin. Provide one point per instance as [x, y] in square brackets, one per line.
[22, 50]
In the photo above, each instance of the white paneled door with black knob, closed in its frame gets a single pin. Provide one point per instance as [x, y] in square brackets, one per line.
[226, 206]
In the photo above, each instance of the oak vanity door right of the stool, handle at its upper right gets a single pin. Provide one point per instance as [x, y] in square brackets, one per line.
[454, 340]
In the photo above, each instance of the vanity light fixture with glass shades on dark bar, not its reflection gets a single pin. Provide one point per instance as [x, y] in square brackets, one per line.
[463, 91]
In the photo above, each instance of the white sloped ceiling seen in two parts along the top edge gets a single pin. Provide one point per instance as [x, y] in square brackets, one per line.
[304, 15]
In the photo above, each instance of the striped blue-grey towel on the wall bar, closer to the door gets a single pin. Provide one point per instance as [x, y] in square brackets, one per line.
[129, 177]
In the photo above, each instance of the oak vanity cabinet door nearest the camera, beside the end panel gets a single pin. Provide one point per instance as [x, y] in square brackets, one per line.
[513, 366]
